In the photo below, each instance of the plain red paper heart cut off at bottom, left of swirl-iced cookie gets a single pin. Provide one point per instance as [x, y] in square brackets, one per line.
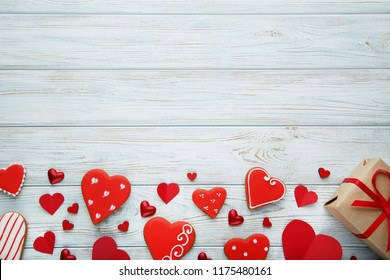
[105, 248]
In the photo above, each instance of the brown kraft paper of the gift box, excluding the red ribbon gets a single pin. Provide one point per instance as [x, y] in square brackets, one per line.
[359, 219]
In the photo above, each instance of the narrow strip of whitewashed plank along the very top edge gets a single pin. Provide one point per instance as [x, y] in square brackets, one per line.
[196, 7]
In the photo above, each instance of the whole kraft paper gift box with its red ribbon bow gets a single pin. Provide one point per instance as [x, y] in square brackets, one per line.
[362, 204]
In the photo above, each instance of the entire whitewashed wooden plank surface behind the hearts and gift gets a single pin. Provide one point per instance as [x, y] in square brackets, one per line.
[155, 89]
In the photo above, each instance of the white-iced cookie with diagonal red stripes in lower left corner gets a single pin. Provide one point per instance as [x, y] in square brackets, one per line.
[13, 232]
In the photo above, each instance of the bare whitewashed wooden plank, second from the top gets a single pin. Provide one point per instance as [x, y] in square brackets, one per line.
[194, 42]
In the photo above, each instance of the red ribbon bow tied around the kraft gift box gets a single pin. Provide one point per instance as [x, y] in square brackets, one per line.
[378, 202]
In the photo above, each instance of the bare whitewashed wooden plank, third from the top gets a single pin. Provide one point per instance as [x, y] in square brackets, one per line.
[330, 97]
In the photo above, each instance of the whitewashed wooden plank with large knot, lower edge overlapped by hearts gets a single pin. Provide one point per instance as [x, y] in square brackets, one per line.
[220, 155]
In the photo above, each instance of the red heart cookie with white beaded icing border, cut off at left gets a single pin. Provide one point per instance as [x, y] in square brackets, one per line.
[12, 179]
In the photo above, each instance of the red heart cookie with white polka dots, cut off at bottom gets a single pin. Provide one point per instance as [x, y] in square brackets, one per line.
[255, 247]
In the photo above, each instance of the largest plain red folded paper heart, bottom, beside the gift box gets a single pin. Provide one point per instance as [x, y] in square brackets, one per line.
[300, 242]
